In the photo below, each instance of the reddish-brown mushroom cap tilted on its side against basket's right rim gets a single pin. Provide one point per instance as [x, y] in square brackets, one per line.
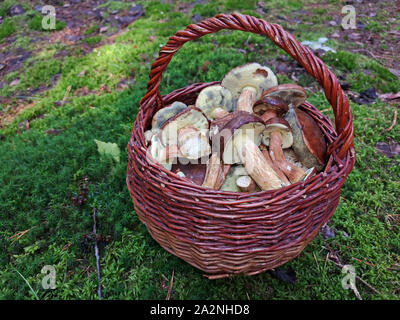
[308, 140]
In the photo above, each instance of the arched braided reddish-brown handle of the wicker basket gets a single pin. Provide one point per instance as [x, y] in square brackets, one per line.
[303, 55]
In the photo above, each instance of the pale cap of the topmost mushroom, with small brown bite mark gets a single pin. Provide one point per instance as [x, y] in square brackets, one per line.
[249, 75]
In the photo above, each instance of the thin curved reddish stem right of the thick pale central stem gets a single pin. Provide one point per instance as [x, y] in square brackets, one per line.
[293, 172]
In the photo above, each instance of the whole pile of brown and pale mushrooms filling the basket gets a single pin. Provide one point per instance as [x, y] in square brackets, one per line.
[245, 135]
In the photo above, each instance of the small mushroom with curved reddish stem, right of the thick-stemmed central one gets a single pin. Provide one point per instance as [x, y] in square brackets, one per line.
[277, 135]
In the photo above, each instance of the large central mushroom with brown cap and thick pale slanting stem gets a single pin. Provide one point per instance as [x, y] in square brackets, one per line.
[240, 139]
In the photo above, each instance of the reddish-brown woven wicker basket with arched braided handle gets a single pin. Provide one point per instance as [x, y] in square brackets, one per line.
[225, 233]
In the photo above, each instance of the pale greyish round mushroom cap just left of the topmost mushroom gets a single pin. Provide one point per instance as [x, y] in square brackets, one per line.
[214, 97]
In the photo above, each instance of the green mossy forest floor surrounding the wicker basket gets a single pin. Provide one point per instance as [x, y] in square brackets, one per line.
[63, 89]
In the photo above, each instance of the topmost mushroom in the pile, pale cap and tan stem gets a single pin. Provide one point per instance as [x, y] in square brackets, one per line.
[247, 83]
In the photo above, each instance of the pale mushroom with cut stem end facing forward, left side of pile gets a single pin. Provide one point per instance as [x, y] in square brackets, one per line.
[188, 130]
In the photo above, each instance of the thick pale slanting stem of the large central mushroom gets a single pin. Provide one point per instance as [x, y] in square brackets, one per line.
[256, 164]
